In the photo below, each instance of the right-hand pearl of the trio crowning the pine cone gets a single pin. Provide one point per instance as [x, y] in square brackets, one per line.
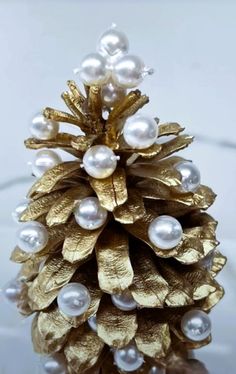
[128, 71]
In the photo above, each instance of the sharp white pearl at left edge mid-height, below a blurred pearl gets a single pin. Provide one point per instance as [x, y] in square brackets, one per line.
[32, 236]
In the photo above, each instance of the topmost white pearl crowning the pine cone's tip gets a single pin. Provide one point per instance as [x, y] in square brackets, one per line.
[113, 43]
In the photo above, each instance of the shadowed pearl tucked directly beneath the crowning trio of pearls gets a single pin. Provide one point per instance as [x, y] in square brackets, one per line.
[112, 94]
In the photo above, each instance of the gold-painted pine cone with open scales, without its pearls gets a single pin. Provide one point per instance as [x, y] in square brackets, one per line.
[118, 257]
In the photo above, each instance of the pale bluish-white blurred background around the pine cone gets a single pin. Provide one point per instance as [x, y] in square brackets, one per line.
[191, 46]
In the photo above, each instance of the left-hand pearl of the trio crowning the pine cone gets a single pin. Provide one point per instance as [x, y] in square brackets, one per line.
[93, 70]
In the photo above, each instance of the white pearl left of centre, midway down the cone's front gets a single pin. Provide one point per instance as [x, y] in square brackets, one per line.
[89, 214]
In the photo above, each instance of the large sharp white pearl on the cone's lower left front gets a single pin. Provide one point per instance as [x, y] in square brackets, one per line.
[73, 299]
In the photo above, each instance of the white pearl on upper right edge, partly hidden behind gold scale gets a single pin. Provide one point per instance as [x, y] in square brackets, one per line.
[190, 176]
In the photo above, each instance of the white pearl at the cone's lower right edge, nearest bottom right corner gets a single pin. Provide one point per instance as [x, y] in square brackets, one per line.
[196, 325]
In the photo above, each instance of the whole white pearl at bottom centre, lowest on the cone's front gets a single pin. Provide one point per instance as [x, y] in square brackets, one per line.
[128, 358]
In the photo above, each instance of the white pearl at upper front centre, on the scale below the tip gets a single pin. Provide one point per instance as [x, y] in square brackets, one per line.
[99, 161]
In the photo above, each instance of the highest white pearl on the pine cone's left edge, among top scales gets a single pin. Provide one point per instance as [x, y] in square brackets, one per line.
[42, 128]
